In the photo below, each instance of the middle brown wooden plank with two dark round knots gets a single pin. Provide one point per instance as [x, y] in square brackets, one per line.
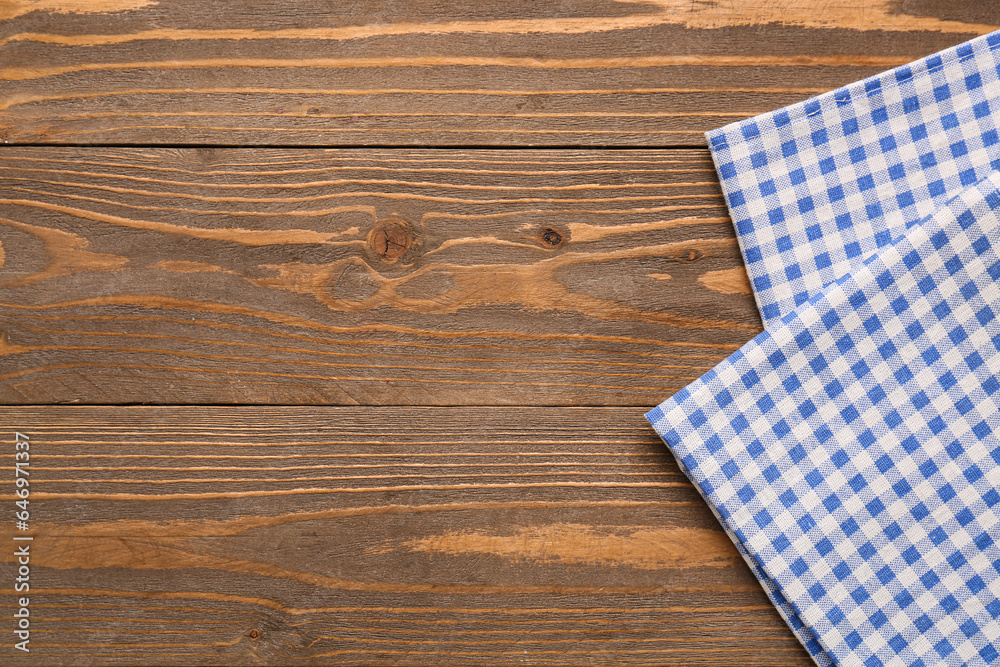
[571, 277]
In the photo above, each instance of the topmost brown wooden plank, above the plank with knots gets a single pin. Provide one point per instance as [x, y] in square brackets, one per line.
[498, 73]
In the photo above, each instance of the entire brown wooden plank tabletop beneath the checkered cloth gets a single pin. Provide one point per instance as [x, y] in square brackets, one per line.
[331, 325]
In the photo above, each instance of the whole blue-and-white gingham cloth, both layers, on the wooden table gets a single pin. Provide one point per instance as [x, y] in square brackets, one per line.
[852, 450]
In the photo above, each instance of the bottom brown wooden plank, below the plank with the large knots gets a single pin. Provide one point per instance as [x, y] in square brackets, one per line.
[373, 535]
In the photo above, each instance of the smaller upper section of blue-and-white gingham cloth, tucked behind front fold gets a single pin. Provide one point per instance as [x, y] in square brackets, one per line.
[817, 187]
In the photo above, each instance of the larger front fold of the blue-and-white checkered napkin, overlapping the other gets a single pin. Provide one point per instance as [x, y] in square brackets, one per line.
[852, 449]
